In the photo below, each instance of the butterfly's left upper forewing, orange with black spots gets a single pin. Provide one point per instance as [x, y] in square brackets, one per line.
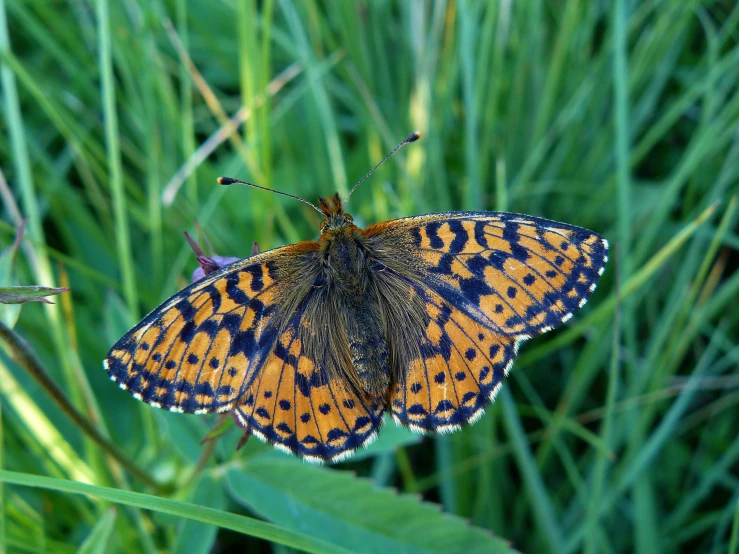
[200, 350]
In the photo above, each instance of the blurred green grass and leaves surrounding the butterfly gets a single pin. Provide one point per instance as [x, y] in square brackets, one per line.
[616, 433]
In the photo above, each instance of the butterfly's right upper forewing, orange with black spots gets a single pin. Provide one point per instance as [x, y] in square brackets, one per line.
[517, 275]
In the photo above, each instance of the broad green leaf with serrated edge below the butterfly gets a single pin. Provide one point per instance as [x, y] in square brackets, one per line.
[343, 509]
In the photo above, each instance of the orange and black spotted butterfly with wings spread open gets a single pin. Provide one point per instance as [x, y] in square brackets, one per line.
[309, 344]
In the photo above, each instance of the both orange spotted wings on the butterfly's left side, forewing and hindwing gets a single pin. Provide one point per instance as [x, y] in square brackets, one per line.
[228, 343]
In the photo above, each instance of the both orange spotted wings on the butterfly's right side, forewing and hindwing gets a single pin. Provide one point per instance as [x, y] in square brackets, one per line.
[488, 281]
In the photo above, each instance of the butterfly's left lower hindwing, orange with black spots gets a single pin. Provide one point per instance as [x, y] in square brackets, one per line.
[294, 405]
